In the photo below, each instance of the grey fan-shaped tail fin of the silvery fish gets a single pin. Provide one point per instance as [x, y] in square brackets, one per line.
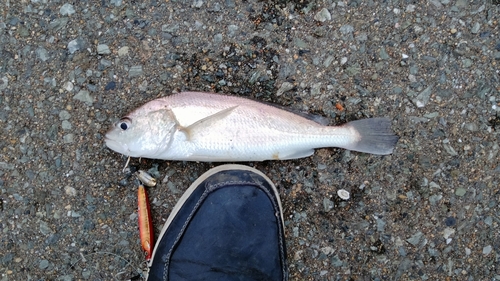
[375, 136]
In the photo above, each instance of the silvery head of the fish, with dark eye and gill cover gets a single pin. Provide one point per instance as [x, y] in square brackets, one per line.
[144, 132]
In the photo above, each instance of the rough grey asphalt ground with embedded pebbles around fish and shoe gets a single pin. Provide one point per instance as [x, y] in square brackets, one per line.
[429, 211]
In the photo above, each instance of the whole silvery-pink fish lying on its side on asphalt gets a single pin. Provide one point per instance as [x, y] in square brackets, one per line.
[209, 127]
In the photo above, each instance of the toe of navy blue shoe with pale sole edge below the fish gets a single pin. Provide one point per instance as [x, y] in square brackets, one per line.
[227, 226]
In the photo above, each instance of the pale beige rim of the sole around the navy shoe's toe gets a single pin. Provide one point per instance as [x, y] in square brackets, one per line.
[197, 182]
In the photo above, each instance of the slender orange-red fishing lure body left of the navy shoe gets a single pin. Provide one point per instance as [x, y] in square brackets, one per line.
[145, 223]
